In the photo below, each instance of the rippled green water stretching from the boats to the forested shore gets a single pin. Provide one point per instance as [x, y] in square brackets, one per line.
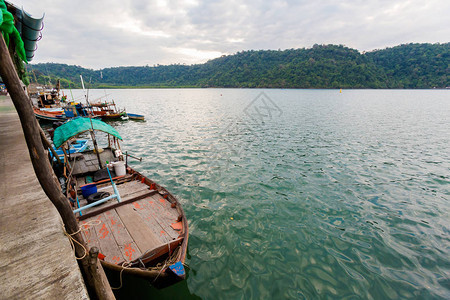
[300, 193]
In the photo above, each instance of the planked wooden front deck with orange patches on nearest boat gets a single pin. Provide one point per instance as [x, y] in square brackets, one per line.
[143, 221]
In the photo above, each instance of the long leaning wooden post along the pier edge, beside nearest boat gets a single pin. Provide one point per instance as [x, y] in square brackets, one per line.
[40, 162]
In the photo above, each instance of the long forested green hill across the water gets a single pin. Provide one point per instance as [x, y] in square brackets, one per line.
[322, 66]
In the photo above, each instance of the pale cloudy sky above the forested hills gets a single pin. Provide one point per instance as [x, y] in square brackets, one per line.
[99, 33]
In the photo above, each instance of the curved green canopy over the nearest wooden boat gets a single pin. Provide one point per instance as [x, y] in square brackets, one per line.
[78, 125]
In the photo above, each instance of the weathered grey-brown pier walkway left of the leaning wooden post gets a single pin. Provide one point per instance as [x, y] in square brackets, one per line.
[36, 259]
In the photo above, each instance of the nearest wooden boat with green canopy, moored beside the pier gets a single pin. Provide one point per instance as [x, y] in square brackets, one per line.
[141, 228]
